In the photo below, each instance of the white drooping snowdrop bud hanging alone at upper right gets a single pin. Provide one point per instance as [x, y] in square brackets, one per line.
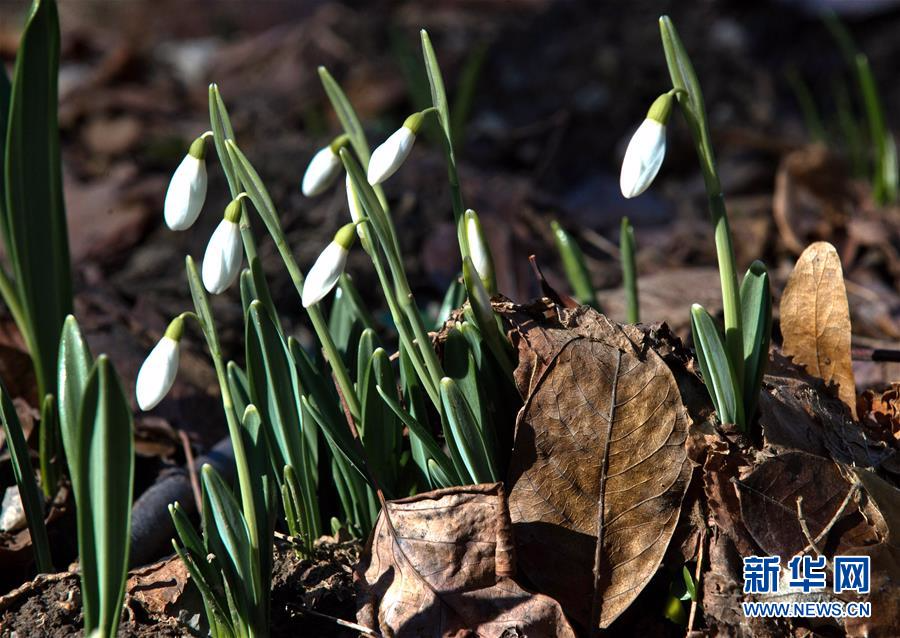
[646, 150]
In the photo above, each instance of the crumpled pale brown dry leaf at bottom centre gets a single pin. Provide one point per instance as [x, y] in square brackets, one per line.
[448, 571]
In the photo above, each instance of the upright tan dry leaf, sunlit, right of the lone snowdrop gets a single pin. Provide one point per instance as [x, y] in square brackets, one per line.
[815, 319]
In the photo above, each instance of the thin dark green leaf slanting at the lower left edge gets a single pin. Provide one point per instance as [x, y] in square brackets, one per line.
[32, 500]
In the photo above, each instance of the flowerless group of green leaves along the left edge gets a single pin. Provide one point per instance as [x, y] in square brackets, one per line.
[85, 423]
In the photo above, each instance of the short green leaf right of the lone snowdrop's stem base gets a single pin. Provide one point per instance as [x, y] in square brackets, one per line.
[756, 306]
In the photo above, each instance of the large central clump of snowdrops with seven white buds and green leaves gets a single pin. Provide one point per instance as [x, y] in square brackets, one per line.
[347, 388]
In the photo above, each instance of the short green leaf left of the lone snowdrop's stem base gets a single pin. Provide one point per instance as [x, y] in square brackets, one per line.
[716, 368]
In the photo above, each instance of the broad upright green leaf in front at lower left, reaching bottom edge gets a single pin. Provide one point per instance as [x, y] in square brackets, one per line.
[107, 457]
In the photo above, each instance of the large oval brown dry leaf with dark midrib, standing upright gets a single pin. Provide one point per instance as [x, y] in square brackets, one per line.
[594, 400]
